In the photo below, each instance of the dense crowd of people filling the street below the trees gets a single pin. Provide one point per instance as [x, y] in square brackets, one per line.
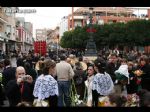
[113, 79]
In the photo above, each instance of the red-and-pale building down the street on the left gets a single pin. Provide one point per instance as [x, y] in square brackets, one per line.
[24, 35]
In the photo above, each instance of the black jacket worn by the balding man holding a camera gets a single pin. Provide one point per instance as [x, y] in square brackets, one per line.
[13, 92]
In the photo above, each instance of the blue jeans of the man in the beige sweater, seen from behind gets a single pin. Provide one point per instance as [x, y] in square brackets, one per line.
[64, 92]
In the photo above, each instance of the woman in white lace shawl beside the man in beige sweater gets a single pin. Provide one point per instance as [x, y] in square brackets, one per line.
[46, 87]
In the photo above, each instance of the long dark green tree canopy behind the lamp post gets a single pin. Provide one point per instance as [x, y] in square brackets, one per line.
[126, 34]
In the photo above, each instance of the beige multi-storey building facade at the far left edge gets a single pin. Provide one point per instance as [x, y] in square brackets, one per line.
[8, 29]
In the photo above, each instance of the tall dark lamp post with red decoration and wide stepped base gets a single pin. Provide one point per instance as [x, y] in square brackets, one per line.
[91, 46]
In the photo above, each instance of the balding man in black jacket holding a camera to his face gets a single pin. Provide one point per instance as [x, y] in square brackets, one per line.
[20, 89]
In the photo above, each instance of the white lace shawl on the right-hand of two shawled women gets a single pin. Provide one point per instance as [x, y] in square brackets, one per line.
[103, 84]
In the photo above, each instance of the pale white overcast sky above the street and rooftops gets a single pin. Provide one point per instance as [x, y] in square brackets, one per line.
[49, 17]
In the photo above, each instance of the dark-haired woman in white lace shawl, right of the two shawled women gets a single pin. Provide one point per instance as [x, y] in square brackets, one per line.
[102, 82]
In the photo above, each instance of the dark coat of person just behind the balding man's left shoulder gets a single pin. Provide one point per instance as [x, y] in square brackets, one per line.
[8, 74]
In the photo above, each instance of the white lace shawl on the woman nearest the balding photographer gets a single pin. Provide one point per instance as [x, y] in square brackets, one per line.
[45, 86]
